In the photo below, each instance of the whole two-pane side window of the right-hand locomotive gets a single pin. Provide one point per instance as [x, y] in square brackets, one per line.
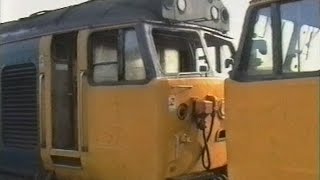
[284, 40]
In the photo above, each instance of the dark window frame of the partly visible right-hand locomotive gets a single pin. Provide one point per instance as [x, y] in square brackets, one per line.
[240, 71]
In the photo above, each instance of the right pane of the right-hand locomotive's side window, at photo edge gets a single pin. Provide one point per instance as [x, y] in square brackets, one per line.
[301, 37]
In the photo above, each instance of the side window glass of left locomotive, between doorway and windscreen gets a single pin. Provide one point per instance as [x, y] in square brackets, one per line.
[115, 57]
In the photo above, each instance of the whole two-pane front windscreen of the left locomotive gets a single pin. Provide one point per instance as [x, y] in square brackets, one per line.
[188, 52]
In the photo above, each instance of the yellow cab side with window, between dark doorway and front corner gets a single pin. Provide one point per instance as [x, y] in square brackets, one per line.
[112, 77]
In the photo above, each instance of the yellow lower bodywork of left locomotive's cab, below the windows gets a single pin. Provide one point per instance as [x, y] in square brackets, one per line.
[126, 128]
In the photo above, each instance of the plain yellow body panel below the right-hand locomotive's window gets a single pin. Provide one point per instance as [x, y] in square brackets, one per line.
[273, 129]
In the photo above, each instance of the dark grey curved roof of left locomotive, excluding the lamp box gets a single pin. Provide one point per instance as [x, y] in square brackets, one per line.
[91, 13]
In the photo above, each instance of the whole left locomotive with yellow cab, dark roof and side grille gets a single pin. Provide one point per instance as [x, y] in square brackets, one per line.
[125, 90]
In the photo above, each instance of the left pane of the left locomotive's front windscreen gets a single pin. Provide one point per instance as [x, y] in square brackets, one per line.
[179, 52]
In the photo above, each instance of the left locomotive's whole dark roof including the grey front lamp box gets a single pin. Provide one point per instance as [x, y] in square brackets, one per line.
[111, 12]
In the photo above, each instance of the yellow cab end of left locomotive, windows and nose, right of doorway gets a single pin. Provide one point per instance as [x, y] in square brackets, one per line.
[161, 127]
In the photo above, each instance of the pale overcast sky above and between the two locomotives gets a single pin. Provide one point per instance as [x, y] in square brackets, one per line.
[15, 9]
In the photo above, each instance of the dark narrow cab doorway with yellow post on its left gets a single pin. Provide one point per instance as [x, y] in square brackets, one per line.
[58, 100]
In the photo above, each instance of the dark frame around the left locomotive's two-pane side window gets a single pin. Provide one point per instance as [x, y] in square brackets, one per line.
[121, 61]
